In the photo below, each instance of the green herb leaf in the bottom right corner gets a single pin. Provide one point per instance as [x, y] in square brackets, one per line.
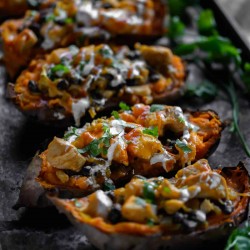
[239, 239]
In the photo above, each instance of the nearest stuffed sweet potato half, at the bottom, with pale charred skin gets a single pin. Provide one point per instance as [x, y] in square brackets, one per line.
[198, 204]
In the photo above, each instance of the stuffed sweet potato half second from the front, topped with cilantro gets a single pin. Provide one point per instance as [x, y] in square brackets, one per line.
[148, 141]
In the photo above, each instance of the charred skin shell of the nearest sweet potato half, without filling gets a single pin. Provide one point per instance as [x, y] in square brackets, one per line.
[112, 239]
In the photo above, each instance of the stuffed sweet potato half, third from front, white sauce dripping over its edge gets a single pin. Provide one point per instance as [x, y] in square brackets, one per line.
[71, 82]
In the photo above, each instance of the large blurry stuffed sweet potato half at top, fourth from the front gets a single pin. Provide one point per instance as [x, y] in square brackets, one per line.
[78, 22]
